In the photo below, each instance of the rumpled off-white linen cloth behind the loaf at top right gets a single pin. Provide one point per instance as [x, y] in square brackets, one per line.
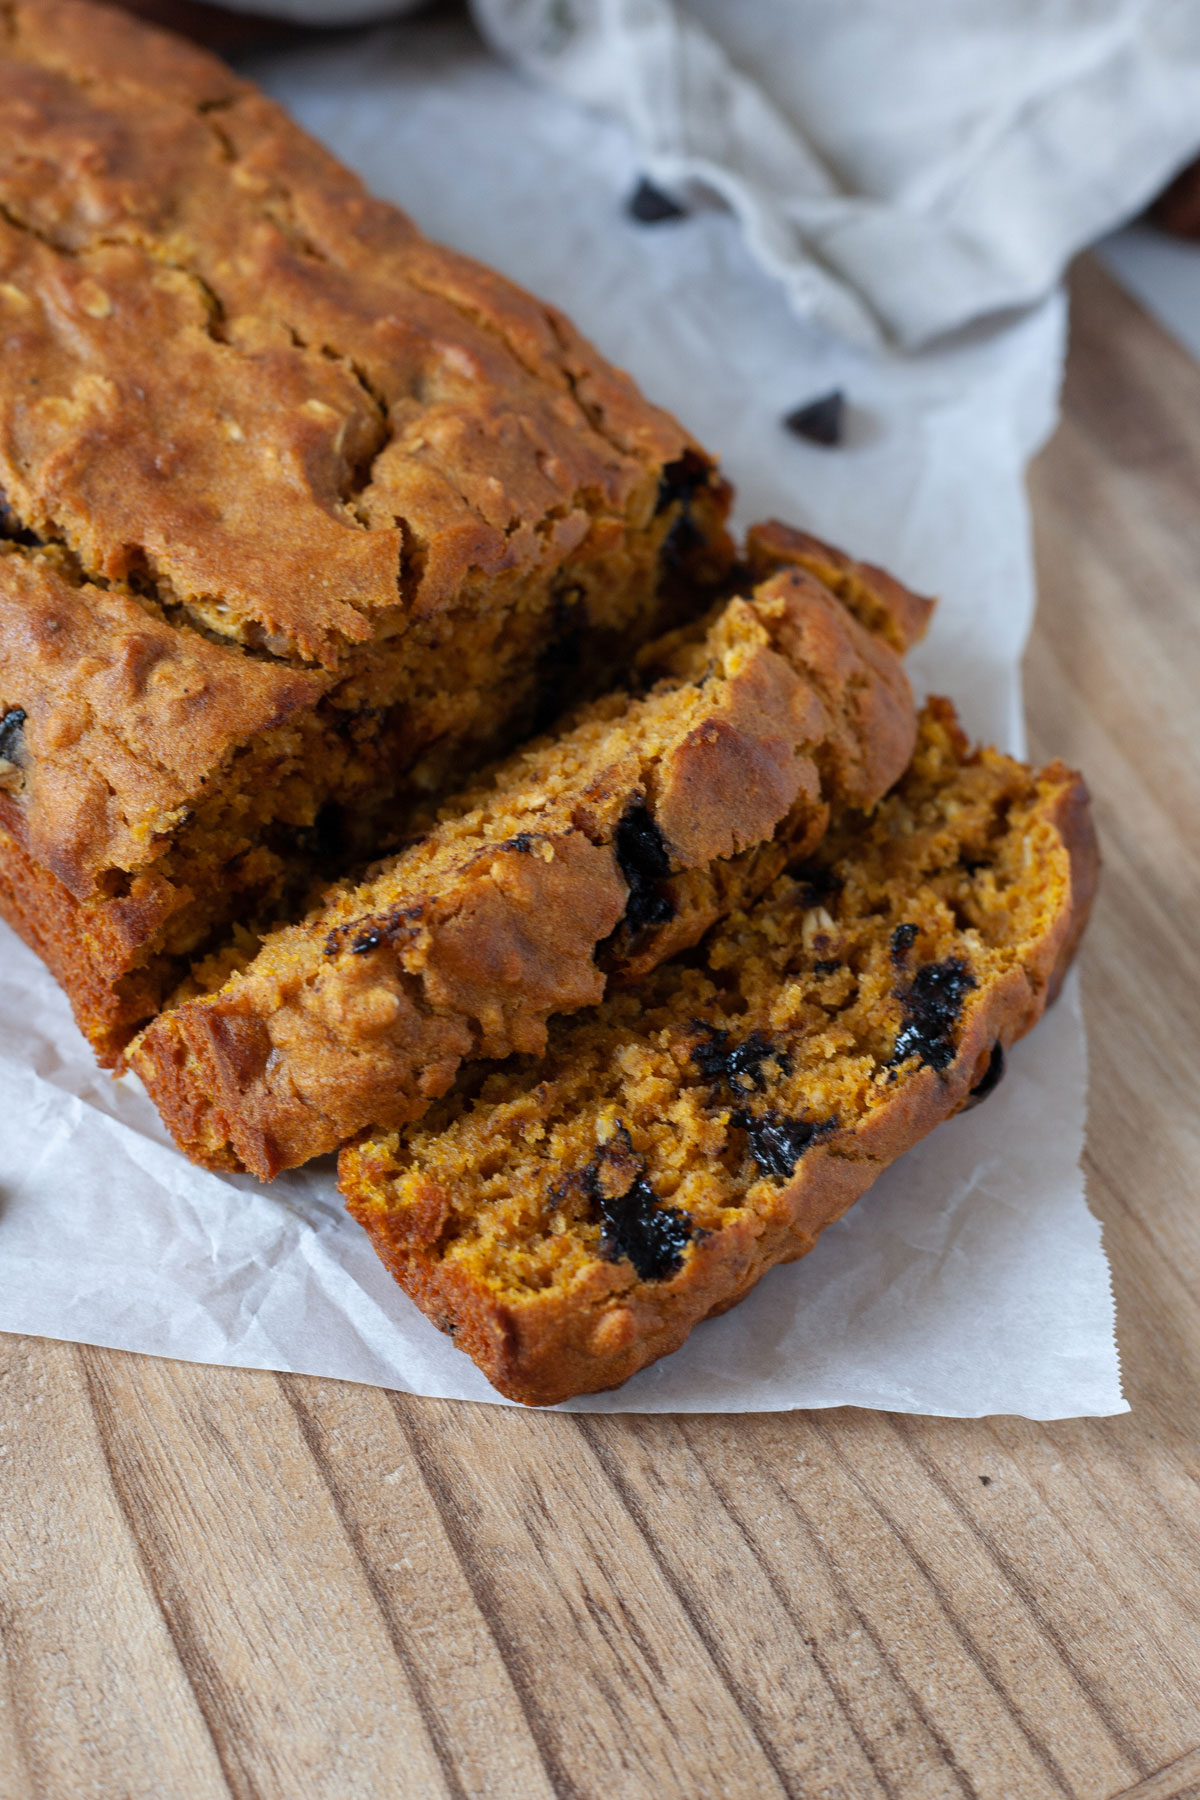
[902, 166]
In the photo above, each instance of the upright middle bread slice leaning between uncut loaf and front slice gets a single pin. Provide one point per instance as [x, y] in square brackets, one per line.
[591, 854]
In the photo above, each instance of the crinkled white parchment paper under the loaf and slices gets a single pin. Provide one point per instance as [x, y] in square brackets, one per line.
[971, 1279]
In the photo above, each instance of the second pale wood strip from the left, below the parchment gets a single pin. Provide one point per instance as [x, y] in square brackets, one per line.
[265, 1601]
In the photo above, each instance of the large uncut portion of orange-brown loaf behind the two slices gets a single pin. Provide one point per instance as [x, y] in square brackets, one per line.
[300, 514]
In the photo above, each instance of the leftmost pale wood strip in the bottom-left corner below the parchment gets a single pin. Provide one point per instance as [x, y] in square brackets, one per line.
[96, 1698]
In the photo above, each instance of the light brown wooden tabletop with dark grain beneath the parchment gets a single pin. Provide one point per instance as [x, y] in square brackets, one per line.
[226, 1583]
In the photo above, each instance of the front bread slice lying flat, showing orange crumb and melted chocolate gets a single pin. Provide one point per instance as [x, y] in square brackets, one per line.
[569, 1219]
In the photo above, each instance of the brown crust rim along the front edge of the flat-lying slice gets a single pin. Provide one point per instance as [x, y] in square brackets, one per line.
[607, 1324]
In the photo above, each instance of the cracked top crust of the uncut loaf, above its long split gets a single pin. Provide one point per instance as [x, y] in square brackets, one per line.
[235, 375]
